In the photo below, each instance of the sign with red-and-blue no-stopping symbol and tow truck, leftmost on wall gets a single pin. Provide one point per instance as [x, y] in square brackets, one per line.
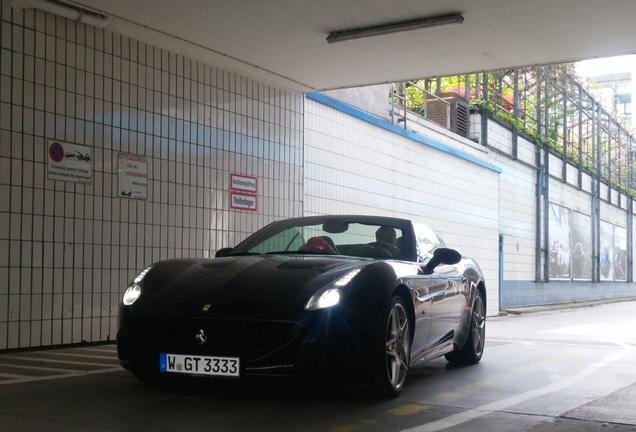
[70, 162]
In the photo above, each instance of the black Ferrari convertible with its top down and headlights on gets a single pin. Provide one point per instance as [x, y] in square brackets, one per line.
[363, 296]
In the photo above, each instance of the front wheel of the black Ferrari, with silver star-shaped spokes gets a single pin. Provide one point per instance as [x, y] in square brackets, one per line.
[395, 350]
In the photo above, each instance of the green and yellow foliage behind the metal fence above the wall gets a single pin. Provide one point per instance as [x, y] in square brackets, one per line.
[541, 112]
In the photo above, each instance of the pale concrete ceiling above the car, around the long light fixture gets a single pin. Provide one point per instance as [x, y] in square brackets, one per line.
[283, 42]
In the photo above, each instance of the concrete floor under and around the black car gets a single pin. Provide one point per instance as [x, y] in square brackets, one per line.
[551, 370]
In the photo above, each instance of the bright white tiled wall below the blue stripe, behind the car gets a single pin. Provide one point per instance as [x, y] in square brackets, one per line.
[355, 167]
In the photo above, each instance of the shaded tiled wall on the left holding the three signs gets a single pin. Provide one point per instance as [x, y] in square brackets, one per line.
[67, 250]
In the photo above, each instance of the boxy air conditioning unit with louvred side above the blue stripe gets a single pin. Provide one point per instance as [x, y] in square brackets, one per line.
[451, 111]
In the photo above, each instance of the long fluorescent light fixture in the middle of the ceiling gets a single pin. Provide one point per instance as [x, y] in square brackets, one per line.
[344, 35]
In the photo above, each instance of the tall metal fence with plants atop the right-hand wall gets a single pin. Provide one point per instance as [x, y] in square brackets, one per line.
[548, 105]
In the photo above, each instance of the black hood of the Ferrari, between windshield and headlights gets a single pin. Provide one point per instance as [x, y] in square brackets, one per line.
[276, 284]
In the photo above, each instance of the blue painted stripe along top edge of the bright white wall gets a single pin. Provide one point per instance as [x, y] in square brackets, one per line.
[354, 112]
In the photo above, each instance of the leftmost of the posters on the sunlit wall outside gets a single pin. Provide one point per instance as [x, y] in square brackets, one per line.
[559, 242]
